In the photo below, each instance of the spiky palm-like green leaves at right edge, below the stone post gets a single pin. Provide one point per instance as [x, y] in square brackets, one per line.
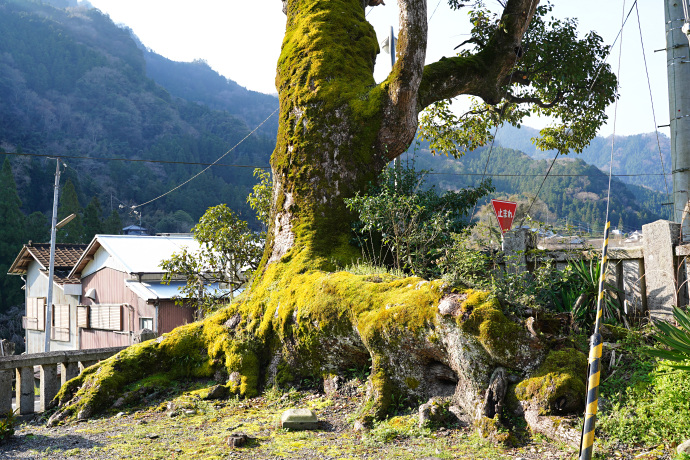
[677, 339]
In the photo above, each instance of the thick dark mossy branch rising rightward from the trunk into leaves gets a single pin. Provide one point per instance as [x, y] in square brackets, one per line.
[484, 73]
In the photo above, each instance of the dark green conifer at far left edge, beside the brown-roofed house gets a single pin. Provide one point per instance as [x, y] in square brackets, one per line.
[12, 236]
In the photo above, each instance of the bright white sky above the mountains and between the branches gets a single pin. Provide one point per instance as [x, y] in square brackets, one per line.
[241, 40]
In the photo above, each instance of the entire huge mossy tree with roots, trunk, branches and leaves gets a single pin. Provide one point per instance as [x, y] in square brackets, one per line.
[338, 129]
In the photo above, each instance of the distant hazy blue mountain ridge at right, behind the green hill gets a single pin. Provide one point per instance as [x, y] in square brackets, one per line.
[636, 154]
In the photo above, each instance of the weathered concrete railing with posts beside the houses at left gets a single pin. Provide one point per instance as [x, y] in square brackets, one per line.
[71, 363]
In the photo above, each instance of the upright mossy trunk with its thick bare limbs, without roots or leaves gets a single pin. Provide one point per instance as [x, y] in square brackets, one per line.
[338, 129]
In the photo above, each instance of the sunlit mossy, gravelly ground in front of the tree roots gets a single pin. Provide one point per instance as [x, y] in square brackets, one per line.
[184, 426]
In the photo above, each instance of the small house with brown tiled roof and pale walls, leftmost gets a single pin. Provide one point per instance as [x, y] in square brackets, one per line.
[32, 265]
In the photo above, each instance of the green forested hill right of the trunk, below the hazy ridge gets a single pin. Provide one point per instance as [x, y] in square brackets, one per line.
[574, 190]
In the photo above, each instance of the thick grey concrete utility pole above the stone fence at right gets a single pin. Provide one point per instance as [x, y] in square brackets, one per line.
[678, 69]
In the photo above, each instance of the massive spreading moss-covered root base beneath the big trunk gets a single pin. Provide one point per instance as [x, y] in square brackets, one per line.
[423, 340]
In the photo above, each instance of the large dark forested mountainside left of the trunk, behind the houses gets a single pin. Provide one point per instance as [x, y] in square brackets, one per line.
[72, 83]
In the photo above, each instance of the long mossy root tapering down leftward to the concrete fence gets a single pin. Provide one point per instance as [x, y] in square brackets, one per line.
[199, 350]
